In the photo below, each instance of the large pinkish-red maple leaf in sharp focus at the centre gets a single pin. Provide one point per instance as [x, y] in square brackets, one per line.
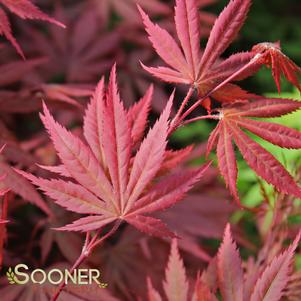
[109, 183]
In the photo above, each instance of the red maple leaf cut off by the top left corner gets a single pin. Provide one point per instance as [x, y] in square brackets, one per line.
[25, 9]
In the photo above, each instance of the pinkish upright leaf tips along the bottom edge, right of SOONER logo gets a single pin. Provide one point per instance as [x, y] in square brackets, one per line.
[225, 273]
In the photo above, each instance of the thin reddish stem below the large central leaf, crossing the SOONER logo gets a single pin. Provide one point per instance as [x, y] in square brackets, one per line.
[87, 249]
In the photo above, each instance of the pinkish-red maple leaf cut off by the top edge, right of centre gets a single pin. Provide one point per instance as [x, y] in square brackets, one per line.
[188, 65]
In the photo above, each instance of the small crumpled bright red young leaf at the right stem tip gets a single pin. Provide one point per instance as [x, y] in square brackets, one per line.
[280, 64]
